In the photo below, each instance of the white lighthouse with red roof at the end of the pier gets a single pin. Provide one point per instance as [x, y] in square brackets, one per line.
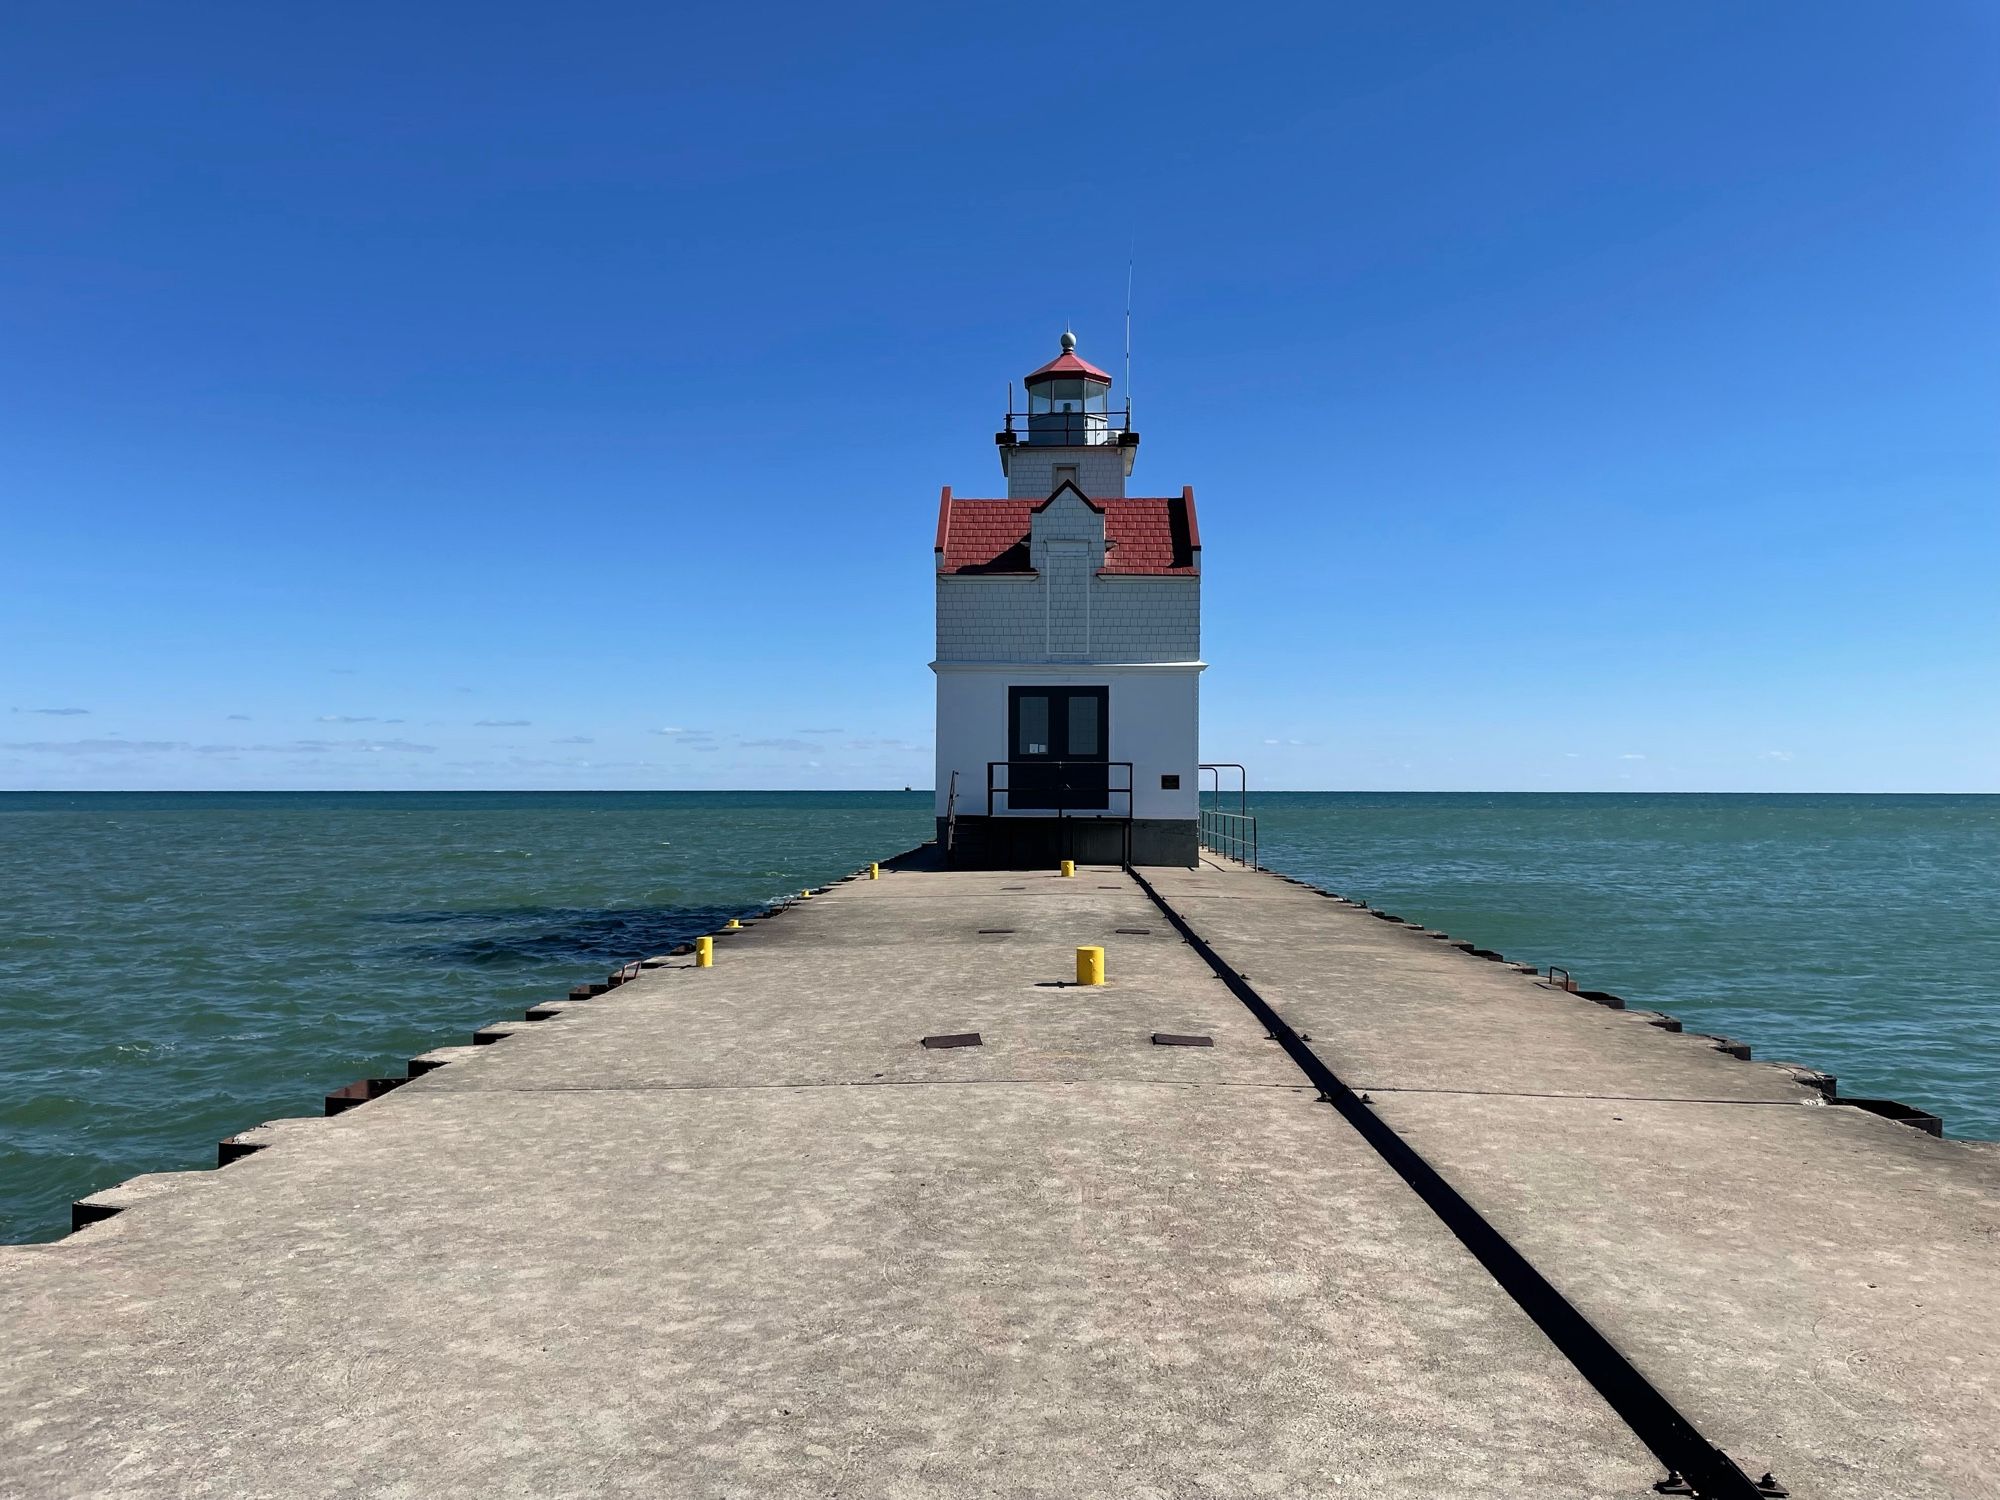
[1069, 645]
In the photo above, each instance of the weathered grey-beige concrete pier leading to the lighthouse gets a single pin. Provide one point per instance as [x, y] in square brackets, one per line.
[741, 1233]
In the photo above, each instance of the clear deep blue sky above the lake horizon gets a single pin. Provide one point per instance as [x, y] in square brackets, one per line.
[1577, 395]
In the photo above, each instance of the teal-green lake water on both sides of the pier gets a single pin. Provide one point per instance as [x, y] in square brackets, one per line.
[181, 967]
